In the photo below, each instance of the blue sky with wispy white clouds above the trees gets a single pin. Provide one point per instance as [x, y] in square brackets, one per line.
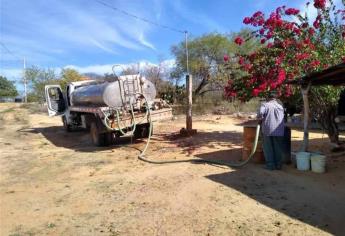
[91, 37]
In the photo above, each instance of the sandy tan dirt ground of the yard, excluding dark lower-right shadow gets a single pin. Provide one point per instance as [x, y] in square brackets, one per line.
[57, 183]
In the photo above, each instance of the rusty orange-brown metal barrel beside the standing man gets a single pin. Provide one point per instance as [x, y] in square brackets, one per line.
[249, 132]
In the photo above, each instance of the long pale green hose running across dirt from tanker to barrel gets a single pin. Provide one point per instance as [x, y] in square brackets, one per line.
[224, 163]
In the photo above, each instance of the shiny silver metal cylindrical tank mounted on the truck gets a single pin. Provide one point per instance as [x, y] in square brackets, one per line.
[116, 94]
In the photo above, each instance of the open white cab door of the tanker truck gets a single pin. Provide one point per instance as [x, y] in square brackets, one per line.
[55, 100]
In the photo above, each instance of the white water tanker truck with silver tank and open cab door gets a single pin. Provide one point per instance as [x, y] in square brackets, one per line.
[124, 107]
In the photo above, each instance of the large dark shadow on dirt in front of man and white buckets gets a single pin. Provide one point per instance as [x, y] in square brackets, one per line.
[300, 197]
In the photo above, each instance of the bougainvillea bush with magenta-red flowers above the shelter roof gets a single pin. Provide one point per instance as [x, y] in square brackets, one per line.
[293, 45]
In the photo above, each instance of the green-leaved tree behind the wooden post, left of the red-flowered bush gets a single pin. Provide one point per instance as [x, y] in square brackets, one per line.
[206, 55]
